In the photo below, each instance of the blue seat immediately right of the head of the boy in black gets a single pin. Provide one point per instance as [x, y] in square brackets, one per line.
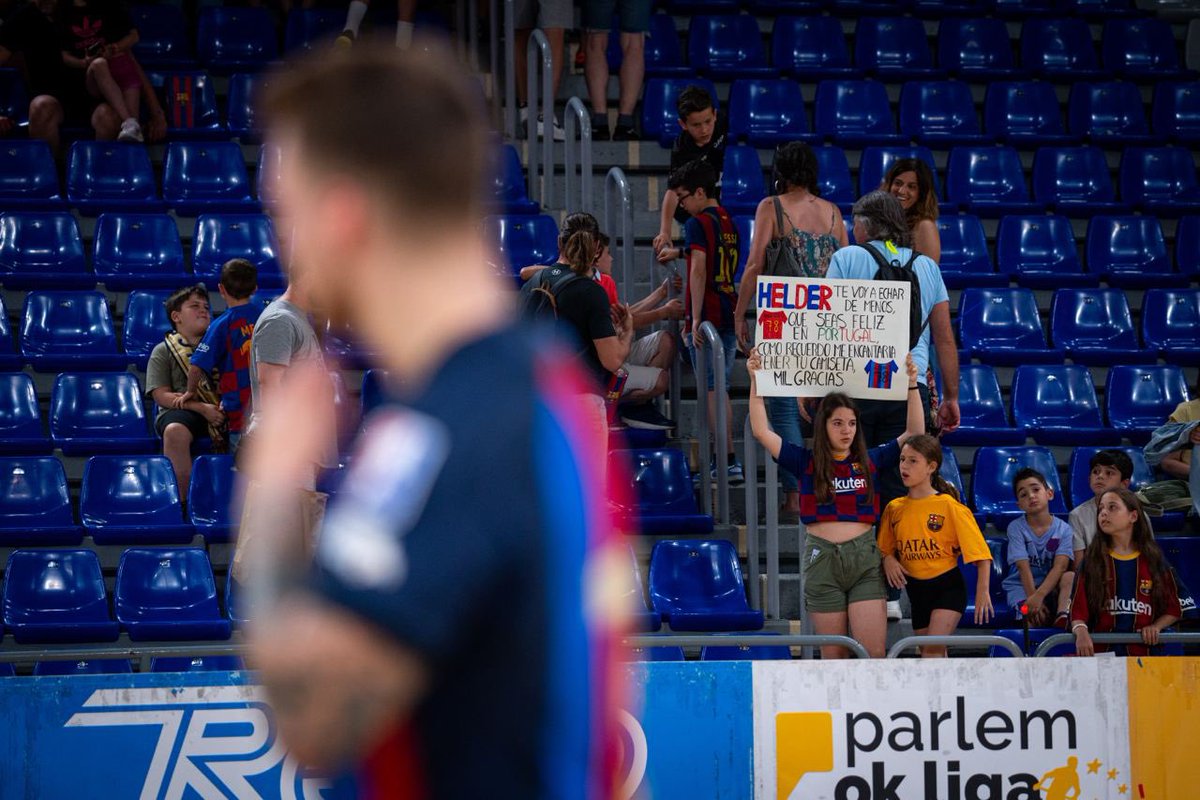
[769, 112]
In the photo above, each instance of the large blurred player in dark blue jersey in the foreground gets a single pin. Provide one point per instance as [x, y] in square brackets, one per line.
[454, 637]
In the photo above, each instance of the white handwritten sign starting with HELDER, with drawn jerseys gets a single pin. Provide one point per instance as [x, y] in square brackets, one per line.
[824, 335]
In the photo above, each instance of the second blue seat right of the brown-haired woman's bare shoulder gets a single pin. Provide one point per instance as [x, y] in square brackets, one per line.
[1040, 251]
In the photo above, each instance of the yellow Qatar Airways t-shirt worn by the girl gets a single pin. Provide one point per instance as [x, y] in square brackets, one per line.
[928, 536]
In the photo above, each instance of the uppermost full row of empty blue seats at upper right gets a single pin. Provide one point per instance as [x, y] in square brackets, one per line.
[813, 47]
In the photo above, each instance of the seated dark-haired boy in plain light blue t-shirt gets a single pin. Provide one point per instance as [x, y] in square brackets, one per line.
[1039, 555]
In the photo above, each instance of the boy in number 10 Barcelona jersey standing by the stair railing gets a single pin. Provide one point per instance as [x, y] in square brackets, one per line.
[711, 244]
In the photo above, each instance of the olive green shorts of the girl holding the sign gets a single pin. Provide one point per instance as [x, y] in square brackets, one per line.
[839, 575]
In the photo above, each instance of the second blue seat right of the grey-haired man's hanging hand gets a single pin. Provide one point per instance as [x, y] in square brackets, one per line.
[1058, 406]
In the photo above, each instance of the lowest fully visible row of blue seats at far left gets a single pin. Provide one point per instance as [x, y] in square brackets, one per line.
[59, 596]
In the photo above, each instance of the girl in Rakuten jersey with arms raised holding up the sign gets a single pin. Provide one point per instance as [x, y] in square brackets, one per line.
[839, 506]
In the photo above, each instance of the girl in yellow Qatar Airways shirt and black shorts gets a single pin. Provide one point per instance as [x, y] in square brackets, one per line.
[921, 539]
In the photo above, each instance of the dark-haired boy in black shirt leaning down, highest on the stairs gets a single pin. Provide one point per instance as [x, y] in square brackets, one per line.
[703, 139]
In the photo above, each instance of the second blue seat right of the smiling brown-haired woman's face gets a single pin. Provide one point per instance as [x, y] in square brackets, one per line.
[1076, 182]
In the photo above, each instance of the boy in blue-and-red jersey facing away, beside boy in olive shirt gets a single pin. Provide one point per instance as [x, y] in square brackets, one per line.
[226, 346]
